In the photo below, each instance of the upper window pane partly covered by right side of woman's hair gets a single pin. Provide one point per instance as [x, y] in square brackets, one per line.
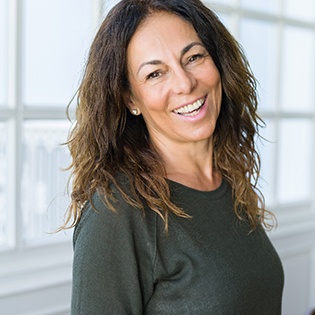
[262, 55]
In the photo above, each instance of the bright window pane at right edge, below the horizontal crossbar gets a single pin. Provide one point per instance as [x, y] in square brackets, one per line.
[295, 162]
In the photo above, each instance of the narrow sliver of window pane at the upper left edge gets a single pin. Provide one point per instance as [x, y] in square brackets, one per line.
[3, 49]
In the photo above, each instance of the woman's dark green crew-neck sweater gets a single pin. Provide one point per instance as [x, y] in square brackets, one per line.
[125, 264]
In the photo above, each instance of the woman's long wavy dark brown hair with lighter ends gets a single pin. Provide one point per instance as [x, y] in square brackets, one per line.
[107, 142]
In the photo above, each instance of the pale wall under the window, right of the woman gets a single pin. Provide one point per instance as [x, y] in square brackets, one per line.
[295, 243]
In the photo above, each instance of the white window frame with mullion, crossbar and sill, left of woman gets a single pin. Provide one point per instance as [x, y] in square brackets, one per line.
[24, 267]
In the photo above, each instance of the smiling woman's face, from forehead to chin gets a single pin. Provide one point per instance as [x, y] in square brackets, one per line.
[174, 81]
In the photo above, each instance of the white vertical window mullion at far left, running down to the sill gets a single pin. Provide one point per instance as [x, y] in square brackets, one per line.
[14, 122]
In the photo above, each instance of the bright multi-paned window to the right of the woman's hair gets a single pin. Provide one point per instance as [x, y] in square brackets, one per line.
[278, 38]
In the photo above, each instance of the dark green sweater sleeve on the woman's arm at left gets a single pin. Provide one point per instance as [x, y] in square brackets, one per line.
[112, 267]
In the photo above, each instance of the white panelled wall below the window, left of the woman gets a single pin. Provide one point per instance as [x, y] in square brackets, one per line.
[37, 281]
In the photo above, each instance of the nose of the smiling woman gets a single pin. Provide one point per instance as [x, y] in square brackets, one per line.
[183, 81]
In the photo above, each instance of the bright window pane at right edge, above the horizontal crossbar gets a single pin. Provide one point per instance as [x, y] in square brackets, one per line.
[298, 76]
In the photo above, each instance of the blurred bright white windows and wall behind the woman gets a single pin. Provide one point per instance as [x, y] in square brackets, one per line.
[43, 48]
